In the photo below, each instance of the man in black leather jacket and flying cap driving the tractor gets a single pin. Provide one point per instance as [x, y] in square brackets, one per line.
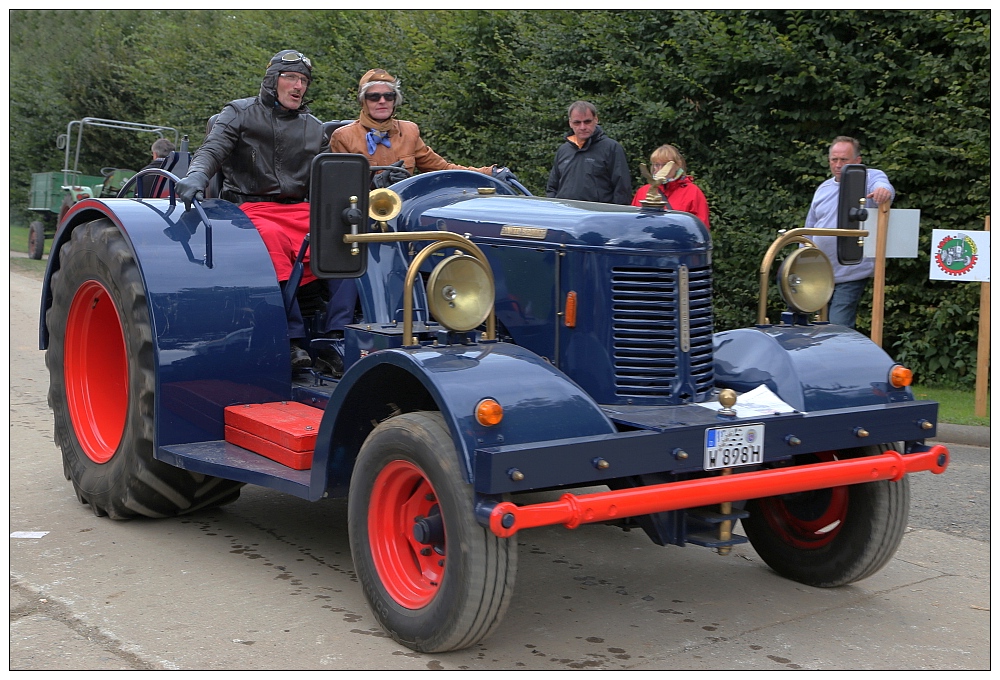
[264, 146]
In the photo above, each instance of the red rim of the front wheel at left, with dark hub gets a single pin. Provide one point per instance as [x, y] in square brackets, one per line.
[410, 571]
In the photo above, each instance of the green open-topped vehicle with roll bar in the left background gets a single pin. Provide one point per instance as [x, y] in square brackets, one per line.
[53, 193]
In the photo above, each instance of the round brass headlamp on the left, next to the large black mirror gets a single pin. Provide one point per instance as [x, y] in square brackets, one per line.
[460, 292]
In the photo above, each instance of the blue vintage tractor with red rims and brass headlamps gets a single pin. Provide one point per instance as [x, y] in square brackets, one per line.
[504, 344]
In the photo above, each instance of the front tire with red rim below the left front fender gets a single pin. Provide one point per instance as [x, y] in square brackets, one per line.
[436, 580]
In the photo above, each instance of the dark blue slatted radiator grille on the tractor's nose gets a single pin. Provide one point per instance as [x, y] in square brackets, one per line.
[649, 333]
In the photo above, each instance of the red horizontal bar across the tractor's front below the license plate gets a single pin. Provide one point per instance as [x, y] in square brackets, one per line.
[506, 518]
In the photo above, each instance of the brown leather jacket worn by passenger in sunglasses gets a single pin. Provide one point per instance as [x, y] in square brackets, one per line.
[406, 146]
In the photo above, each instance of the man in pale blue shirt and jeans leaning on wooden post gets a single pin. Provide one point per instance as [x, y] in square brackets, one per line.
[850, 280]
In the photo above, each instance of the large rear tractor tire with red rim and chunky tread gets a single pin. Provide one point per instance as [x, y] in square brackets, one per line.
[101, 385]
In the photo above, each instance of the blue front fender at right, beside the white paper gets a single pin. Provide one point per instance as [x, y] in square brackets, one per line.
[811, 368]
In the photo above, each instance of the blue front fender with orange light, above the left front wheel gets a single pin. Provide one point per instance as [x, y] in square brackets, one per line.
[540, 403]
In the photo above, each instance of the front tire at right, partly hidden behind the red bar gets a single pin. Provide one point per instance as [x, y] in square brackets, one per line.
[831, 537]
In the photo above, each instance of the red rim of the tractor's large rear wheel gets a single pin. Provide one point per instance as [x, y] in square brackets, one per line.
[95, 368]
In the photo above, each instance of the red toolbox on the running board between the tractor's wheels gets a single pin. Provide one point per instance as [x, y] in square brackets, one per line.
[284, 431]
